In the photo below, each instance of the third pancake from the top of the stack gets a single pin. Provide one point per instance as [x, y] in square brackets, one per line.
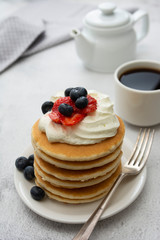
[78, 175]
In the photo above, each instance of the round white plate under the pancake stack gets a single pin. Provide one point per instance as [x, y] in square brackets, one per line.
[126, 193]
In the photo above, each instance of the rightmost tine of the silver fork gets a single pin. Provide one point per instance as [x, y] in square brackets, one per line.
[145, 155]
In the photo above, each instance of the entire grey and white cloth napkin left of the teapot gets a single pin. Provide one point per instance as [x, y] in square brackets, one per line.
[37, 26]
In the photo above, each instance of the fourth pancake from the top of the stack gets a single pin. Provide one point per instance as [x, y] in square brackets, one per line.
[70, 184]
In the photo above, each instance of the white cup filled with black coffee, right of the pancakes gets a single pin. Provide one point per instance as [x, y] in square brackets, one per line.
[136, 104]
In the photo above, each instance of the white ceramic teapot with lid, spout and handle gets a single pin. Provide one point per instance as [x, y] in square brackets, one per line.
[108, 37]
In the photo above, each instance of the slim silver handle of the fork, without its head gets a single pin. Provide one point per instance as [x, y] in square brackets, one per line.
[89, 226]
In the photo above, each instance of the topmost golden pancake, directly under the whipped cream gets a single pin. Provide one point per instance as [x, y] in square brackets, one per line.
[69, 152]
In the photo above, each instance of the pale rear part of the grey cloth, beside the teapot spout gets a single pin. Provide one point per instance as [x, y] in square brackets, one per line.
[59, 18]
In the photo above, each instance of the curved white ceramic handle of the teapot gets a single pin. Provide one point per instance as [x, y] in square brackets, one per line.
[141, 15]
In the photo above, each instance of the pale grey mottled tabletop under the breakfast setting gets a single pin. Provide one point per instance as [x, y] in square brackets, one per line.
[23, 88]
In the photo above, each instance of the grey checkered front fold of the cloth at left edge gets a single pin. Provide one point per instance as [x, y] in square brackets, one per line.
[16, 36]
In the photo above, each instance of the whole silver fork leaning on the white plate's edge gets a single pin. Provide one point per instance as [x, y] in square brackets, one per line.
[133, 166]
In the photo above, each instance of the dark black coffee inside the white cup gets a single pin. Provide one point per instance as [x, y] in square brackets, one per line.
[141, 79]
